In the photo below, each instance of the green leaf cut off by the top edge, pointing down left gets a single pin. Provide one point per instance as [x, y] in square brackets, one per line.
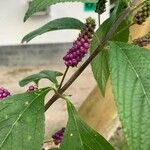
[38, 5]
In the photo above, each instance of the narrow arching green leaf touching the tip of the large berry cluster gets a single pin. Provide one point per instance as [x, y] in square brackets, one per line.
[57, 24]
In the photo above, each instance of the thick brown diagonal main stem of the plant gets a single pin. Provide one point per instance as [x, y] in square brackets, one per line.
[100, 47]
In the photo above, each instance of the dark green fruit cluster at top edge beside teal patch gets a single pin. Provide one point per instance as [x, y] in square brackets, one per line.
[101, 6]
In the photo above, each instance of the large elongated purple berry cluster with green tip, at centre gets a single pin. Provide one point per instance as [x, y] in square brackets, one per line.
[81, 45]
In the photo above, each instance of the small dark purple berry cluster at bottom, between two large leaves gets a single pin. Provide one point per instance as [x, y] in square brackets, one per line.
[58, 136]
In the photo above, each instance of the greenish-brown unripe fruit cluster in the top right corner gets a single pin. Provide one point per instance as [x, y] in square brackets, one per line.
[142, 14]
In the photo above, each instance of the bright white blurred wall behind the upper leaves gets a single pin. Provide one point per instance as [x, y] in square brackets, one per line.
[12, 27]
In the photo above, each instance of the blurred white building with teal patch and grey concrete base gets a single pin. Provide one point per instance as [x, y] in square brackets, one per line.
[44, 49]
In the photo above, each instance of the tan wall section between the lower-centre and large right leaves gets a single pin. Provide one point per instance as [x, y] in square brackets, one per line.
[99, 112]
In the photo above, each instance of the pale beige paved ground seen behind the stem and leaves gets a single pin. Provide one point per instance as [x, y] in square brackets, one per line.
[56, 116]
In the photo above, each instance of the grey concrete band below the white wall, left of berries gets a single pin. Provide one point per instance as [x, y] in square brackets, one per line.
[33, 55]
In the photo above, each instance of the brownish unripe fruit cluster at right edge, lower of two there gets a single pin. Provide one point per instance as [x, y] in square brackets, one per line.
[143, 41]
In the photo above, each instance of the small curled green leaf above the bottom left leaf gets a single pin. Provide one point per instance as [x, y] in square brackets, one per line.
[48, 74]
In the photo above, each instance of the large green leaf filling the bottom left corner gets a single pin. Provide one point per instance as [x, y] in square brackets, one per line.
[22, 121]
